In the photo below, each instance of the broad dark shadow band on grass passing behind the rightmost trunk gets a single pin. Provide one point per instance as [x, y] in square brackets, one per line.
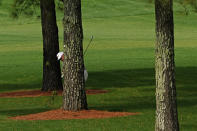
[138, 77]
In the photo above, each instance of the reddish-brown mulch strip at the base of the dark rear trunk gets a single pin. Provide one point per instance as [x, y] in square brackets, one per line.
[37, 93]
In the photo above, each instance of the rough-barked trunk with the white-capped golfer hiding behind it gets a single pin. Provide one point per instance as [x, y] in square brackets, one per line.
[74, 96]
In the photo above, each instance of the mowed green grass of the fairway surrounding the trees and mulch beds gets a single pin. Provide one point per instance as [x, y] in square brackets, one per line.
[120, 60]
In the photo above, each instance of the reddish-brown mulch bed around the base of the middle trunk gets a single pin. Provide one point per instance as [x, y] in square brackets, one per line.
[60, 114]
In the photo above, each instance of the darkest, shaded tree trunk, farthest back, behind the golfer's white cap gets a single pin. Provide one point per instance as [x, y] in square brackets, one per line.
[51, 67]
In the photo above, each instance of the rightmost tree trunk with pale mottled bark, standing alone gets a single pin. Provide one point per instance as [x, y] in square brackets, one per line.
[166, 106]
